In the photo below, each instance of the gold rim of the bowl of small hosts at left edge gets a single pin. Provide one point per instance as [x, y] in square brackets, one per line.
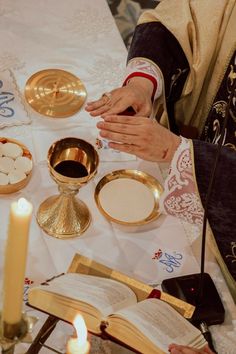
[12, 188]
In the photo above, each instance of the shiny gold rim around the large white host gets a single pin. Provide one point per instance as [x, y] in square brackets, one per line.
[148, 180]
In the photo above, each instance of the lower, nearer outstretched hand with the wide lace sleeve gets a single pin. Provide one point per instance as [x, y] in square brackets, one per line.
[139, 136]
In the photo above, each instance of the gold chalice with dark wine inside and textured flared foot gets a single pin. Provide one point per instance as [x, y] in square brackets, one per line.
[72, 163]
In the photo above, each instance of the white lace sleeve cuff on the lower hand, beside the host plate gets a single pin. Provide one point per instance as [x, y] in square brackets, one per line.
[180, 197]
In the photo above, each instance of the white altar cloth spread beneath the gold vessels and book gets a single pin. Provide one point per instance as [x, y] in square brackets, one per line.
[80, 36]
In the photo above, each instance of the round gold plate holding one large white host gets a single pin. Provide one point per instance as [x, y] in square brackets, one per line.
[129, 197]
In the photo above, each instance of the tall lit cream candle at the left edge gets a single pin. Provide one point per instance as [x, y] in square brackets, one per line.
[15, 261]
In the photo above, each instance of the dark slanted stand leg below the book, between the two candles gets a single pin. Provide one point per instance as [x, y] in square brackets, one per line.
[43, 335]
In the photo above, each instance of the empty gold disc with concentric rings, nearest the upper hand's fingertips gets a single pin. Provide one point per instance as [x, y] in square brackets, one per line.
[55, 93]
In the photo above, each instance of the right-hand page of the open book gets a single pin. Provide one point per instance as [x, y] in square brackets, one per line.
[159, 322]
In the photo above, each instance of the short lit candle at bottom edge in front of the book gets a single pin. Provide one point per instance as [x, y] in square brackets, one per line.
[79, 345]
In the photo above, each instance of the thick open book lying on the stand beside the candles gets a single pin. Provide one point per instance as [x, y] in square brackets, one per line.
[110, 307]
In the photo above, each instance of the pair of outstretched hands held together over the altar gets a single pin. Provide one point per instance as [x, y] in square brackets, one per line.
[138, 134]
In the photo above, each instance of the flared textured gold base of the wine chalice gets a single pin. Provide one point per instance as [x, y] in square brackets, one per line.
[63, 216]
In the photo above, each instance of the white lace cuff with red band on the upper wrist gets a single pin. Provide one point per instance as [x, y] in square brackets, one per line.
[145, 68]
